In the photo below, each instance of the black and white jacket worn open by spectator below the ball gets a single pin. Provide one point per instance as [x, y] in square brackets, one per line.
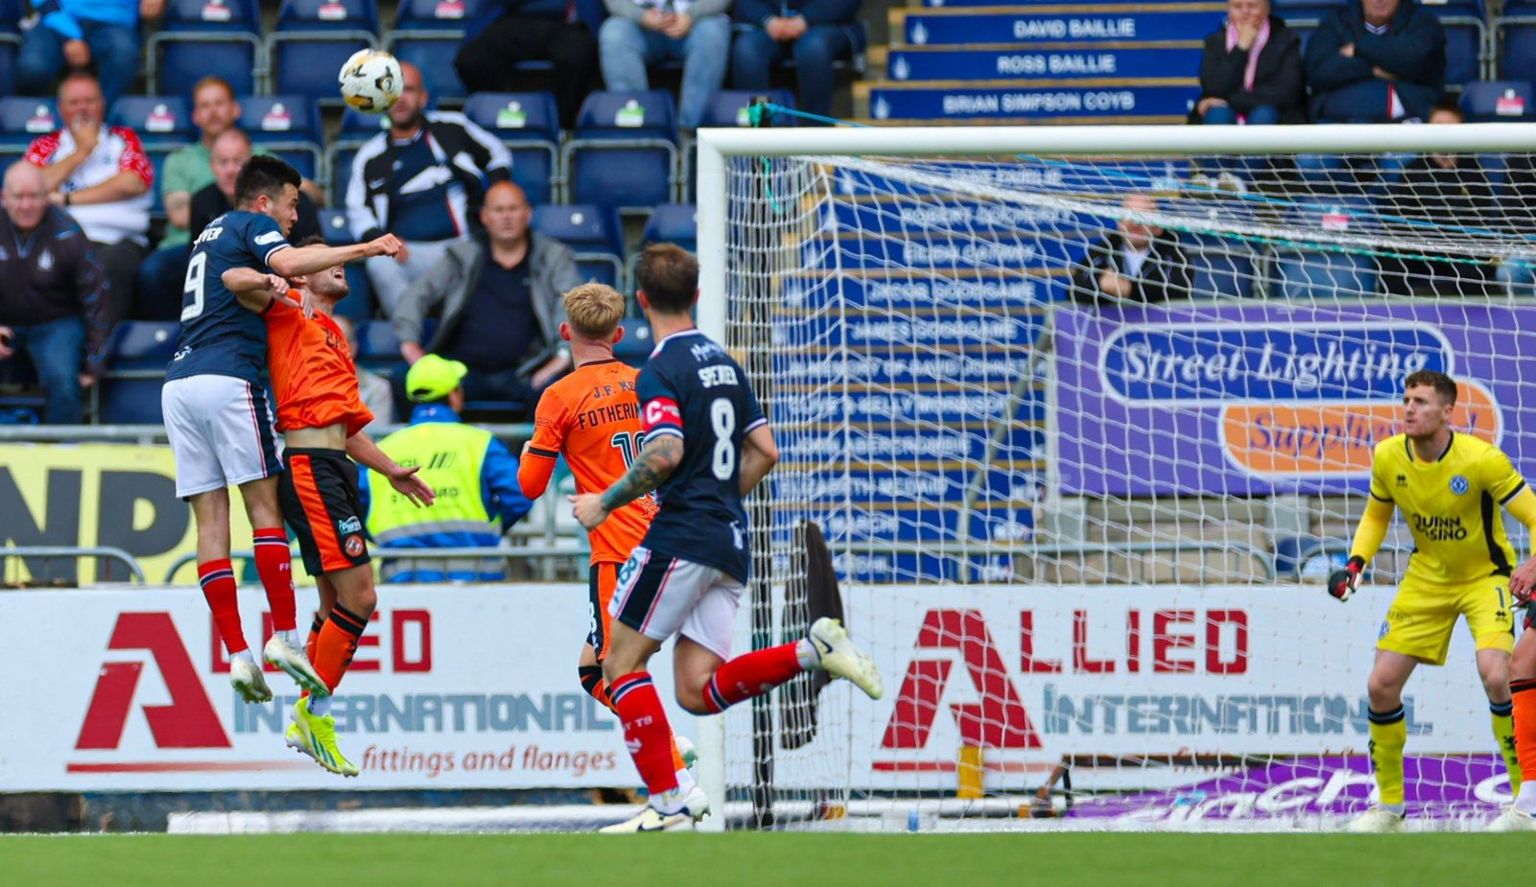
[471, 156]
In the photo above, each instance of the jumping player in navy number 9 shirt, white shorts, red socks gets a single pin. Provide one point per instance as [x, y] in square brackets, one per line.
[217, 414]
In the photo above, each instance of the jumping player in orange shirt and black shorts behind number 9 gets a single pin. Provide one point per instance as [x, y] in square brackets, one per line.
[322, 417]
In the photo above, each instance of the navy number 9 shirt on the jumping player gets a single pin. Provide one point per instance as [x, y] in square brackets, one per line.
[219, 337]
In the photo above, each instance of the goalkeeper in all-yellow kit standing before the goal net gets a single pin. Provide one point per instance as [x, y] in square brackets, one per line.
[1449, 488]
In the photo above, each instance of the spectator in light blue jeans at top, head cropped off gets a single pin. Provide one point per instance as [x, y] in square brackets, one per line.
[641, 33]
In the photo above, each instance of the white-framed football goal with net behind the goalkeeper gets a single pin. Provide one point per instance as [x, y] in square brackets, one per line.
[1085, 430]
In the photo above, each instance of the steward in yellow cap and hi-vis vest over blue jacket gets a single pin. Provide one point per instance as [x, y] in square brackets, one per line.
[478, 493]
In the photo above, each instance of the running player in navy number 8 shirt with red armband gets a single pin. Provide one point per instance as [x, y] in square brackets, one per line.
[707, 445]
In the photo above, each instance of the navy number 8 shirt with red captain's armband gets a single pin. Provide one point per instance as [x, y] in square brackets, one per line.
[694, 390]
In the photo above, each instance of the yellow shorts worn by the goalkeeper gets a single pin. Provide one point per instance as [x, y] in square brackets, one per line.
[1423, 617]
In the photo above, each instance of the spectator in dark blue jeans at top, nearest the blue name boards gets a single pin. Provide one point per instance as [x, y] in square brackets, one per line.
[815, 33]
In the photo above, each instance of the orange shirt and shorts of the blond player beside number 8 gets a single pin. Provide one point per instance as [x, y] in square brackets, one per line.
[594, 419]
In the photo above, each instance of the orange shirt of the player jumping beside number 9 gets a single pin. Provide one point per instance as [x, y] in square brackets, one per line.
[313, 373]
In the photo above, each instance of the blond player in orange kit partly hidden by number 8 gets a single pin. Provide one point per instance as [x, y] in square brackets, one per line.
[594, 419]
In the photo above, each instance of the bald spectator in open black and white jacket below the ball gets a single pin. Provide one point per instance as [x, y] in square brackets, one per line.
[405, 179]
